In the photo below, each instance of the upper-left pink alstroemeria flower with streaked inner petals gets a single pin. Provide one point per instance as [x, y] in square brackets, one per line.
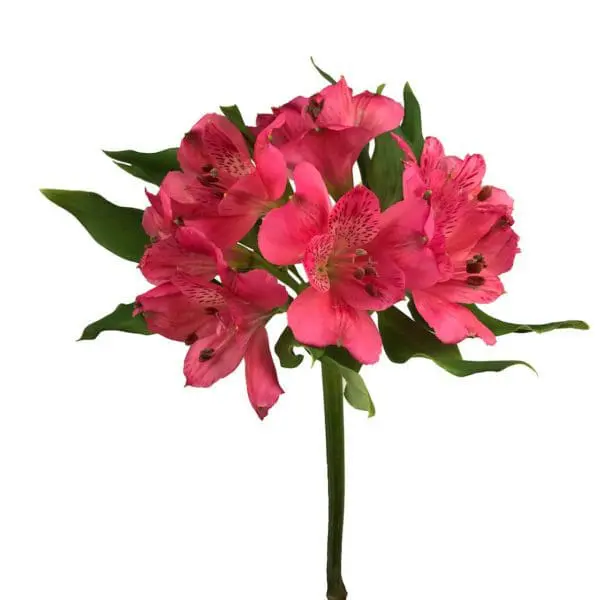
[220, 191]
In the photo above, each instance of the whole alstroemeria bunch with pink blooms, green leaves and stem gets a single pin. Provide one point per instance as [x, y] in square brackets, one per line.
[248, 222]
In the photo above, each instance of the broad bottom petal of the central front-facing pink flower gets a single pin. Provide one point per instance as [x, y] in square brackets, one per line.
[318, 319]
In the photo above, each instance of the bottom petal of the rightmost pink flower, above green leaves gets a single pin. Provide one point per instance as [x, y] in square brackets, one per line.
[451, 322]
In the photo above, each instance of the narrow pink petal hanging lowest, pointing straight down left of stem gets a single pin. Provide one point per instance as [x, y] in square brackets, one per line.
[261, 377]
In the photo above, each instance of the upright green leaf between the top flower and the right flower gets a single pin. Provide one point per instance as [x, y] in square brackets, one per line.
[384, 171]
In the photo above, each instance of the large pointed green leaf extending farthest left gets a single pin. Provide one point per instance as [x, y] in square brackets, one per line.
[117, 228]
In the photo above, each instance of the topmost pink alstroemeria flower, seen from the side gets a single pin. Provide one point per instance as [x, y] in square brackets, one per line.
[330, 129]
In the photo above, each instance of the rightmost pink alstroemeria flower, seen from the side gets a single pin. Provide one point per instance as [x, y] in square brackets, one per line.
[473, 223]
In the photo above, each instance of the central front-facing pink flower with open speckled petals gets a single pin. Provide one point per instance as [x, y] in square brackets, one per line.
[354, 257]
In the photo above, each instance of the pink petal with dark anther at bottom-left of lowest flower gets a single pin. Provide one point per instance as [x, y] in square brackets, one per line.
[215, 356]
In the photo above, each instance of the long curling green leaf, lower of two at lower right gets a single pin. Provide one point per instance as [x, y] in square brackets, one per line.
[404, 339]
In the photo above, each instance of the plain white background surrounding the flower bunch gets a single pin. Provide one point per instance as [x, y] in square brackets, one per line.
[116, 483]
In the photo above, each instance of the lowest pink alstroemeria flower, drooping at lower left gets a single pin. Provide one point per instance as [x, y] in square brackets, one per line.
[222, 324]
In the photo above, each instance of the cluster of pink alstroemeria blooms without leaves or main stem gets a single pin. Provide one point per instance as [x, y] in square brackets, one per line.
[445, 243]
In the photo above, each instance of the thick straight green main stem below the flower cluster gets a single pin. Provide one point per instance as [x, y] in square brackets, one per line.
[334, 436]
